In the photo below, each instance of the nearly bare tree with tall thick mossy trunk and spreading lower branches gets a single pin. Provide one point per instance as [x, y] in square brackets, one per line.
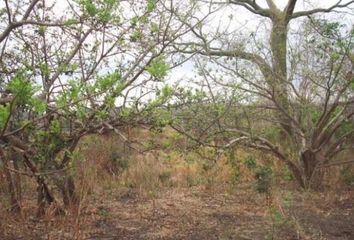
[301, 95]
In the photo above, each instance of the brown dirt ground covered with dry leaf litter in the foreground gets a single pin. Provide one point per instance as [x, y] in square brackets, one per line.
[197, 214]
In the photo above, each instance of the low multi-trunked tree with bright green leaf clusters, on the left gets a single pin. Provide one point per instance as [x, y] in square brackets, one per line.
[94, 68]
